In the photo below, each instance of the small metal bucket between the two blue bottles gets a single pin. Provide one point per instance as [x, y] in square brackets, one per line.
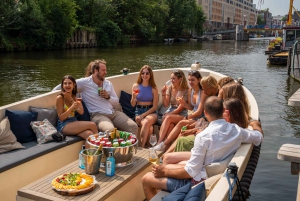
[91, 160]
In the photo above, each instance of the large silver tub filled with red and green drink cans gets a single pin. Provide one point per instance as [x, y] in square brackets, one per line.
[121, 143]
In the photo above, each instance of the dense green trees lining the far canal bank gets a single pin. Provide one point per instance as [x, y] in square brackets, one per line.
[47, 24]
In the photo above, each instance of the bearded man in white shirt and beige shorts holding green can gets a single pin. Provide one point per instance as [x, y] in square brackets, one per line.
[99, 97]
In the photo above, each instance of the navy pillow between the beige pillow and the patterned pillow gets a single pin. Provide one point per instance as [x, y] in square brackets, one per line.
[20, 124]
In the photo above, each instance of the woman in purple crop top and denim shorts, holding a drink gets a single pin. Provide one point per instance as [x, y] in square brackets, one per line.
[145, 98]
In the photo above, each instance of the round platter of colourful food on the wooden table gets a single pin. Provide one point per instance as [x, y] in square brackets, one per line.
[74, 183]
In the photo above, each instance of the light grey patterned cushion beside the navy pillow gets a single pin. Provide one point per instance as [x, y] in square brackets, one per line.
[43, 130]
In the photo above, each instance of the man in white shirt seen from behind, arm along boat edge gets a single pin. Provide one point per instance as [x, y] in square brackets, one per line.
[215, 143]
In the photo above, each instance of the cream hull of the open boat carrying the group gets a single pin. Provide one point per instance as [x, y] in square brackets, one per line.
[21, 173]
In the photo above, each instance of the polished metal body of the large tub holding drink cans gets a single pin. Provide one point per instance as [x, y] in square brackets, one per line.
[122, 155]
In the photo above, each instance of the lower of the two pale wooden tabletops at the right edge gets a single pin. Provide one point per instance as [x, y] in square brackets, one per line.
[291, 153]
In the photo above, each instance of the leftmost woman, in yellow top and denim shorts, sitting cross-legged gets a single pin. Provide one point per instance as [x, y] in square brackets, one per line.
[66, 106]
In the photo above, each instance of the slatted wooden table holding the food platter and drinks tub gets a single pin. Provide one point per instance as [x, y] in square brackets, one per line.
[125, 185]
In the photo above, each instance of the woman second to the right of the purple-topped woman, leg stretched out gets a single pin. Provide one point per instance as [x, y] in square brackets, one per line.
[196, 99]
